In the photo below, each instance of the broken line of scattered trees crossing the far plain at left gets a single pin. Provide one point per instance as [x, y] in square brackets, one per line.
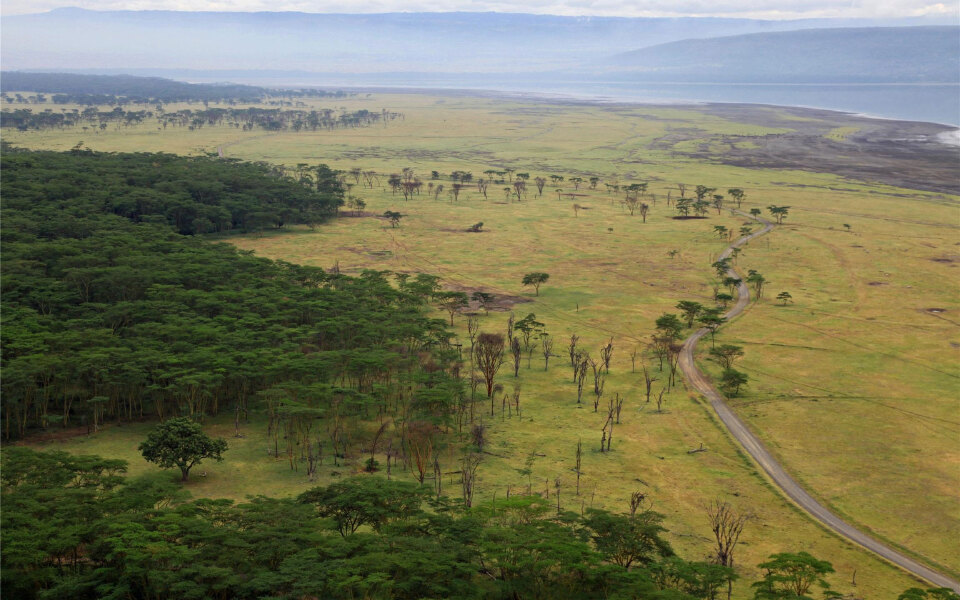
[247, 119]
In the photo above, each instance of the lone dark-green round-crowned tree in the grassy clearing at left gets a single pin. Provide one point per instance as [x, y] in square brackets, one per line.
[180, 442]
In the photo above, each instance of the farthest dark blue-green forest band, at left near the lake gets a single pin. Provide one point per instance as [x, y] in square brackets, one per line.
[120, 89]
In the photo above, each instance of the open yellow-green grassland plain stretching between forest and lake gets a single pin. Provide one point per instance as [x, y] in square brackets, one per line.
[854, 385]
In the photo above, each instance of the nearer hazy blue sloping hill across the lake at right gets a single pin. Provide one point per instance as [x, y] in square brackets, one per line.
[847, 55]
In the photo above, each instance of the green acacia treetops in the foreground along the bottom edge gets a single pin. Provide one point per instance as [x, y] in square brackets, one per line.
[75, 527]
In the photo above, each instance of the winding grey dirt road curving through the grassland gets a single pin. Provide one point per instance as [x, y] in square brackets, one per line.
[767, 462]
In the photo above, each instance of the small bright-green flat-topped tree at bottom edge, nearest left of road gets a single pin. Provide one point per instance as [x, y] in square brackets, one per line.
[790, 576]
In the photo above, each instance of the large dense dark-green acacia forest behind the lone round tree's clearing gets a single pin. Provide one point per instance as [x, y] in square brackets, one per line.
[110, 312]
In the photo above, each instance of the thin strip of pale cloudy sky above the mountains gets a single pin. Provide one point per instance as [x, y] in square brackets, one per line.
[762, 9]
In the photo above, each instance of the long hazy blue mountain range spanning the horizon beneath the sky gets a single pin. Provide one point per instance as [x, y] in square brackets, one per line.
[372, 48]
